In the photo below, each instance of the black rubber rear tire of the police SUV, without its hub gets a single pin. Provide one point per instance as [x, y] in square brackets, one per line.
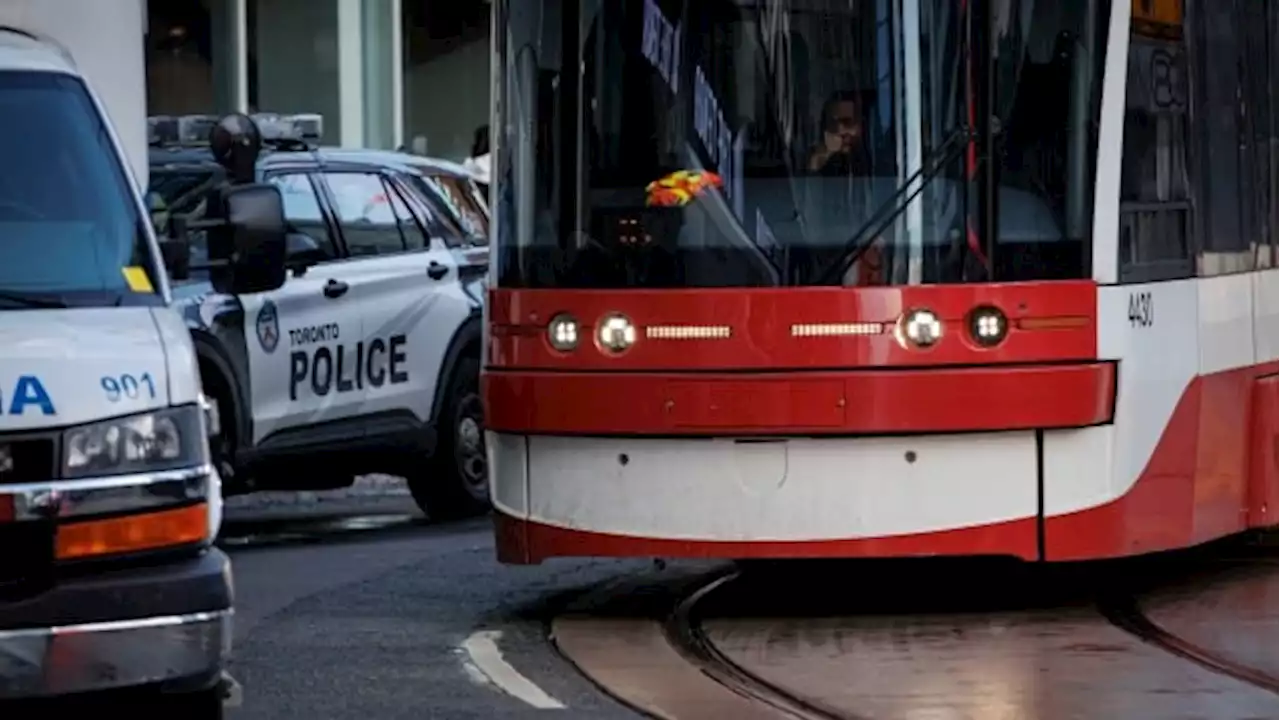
[440, 487]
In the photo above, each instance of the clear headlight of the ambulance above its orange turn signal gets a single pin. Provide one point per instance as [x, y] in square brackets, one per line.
[166, 440]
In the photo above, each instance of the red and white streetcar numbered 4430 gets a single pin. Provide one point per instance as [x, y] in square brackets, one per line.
[884, 279]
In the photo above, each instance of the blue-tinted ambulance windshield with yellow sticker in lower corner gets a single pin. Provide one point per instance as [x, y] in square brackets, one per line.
[71, 230]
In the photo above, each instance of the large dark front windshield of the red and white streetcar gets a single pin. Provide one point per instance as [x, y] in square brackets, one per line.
[774, 143]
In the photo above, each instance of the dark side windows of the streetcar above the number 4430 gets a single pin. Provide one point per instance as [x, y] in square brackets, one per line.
[1200, 198]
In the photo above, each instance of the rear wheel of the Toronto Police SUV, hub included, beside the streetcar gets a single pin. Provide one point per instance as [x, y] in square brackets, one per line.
[454, 484]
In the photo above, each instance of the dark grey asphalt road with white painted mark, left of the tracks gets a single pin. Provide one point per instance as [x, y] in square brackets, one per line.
[341, 618]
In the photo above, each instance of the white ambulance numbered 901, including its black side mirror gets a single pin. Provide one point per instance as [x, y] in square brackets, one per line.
[109, 504]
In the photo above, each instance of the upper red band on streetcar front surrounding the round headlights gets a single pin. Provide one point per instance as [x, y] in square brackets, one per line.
[762, 323]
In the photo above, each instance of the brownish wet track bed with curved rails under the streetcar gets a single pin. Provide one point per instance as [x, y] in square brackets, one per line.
[954, 641]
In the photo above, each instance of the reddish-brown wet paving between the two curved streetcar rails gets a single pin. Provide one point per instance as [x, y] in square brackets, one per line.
[1045, 666]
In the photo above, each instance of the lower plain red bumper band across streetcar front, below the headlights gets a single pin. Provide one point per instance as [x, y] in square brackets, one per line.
[871, 402]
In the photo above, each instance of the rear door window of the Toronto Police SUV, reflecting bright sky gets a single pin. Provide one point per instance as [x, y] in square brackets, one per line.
[369, 224]
